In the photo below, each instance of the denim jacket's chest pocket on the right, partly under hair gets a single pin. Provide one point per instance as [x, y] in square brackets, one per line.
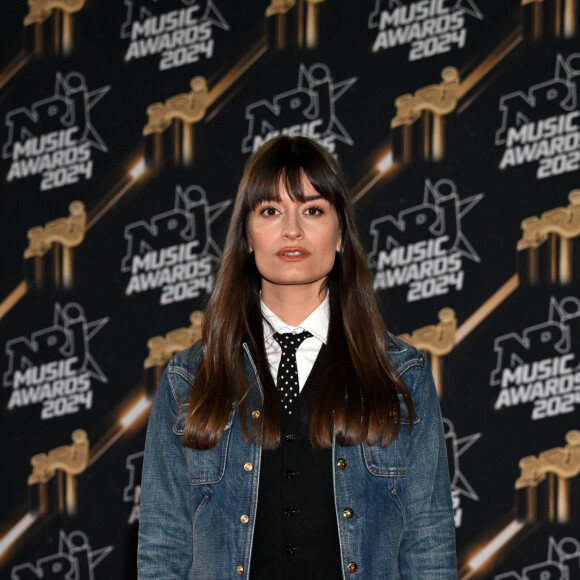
[390, 461]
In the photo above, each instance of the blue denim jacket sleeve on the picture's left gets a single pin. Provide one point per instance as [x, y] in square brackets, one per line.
[165, 529]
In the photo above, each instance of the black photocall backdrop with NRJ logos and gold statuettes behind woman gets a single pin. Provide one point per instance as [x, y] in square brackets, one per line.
[124, 129]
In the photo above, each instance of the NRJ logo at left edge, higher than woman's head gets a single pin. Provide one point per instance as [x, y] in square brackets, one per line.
[54, 137]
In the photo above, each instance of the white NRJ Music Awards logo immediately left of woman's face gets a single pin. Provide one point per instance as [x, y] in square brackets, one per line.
[174, 250]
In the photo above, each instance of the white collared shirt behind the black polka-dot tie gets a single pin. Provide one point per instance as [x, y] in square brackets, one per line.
[316, 323]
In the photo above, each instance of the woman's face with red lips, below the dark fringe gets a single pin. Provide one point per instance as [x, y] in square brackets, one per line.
[294, 243]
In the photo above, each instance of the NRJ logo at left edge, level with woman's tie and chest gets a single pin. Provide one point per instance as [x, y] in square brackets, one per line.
[54, 367]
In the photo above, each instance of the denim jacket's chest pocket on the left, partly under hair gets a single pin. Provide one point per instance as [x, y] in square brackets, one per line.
[204, 466]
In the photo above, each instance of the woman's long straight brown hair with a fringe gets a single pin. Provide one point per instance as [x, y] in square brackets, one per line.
[359, 394]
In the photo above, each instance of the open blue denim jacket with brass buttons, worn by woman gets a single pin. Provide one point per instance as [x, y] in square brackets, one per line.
[198, 508]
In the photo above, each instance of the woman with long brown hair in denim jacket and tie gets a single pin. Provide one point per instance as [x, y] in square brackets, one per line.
[253, 472]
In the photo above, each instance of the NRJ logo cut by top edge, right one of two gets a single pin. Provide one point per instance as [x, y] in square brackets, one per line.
[430, 27]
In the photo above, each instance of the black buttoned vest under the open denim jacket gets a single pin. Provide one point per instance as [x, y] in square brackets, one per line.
[296, 533]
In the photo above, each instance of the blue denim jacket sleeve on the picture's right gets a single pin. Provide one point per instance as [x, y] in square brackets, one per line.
[427, 549]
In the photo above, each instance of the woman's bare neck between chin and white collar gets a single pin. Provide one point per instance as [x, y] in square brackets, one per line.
[292, 304]
